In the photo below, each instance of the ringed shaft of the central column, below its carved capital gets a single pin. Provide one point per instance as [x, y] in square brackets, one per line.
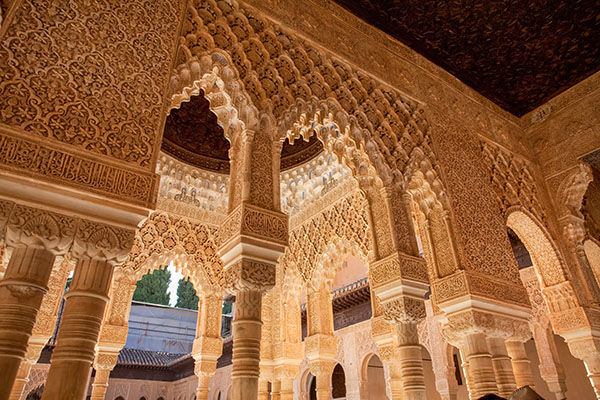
[246, 345]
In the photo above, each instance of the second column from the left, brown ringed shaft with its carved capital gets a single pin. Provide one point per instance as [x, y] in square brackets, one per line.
[97, 248]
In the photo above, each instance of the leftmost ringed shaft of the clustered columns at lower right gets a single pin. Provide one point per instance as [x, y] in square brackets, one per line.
[482, 379]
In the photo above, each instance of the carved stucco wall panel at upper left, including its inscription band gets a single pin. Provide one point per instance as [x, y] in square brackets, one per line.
[82, 89]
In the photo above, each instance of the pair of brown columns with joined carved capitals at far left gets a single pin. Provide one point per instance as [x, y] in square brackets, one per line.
[37, 237]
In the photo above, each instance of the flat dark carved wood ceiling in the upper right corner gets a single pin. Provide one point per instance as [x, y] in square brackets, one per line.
[517, 53]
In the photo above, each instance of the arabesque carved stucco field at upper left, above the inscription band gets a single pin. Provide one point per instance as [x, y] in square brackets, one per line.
[110, 85]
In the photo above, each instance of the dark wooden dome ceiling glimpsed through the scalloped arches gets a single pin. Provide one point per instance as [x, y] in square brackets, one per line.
[193, 135]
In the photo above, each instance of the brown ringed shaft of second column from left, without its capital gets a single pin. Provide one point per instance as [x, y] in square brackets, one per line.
[78, 334]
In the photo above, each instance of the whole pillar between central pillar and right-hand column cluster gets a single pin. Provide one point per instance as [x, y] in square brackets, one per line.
[399, 279]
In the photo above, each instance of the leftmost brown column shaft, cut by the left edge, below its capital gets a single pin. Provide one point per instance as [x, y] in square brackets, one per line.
[21, 293]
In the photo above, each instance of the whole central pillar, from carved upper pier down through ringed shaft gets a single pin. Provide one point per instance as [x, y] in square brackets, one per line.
[251, 239]
